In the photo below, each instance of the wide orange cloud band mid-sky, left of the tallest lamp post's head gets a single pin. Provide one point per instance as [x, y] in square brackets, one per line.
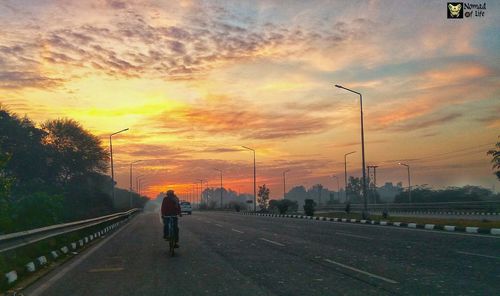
[227, 118]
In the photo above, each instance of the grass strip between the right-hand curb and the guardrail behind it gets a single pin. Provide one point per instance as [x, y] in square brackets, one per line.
[483, 223]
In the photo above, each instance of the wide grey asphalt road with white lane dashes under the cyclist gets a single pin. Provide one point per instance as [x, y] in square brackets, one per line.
[231, 254]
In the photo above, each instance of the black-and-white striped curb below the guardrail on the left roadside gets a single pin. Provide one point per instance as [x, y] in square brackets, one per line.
[39, 262]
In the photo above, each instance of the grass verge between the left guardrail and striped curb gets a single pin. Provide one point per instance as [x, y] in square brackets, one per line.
[17, 259]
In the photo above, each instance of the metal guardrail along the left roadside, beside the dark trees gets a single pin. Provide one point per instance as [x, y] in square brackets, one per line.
[18, 239]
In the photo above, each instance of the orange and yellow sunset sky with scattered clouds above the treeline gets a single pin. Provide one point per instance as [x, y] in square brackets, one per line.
[195, 80]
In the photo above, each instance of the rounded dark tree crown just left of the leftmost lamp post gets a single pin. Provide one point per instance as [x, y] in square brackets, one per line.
[73, 150]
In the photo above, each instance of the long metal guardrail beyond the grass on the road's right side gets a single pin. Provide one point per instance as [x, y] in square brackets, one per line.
[471, 206]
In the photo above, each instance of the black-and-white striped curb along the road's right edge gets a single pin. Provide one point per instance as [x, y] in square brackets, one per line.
[447, 228]
